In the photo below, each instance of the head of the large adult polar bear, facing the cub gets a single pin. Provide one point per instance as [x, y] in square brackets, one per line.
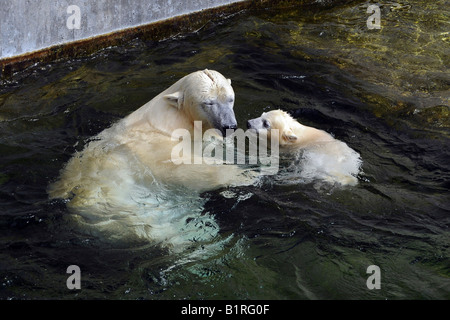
[206, 96]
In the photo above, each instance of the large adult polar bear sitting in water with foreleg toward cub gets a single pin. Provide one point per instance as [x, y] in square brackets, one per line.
[124, 182]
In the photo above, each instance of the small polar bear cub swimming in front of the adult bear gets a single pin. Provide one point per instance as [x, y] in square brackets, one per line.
[320, 155]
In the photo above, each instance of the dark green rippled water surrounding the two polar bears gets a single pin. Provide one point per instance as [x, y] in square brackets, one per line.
[383, 92]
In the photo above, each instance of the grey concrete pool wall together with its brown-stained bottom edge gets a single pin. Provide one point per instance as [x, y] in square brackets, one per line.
[37, 30]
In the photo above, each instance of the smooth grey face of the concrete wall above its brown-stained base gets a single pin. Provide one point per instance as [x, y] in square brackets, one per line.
[30, 25]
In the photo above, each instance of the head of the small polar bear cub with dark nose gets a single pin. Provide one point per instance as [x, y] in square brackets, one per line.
[275, 119]
